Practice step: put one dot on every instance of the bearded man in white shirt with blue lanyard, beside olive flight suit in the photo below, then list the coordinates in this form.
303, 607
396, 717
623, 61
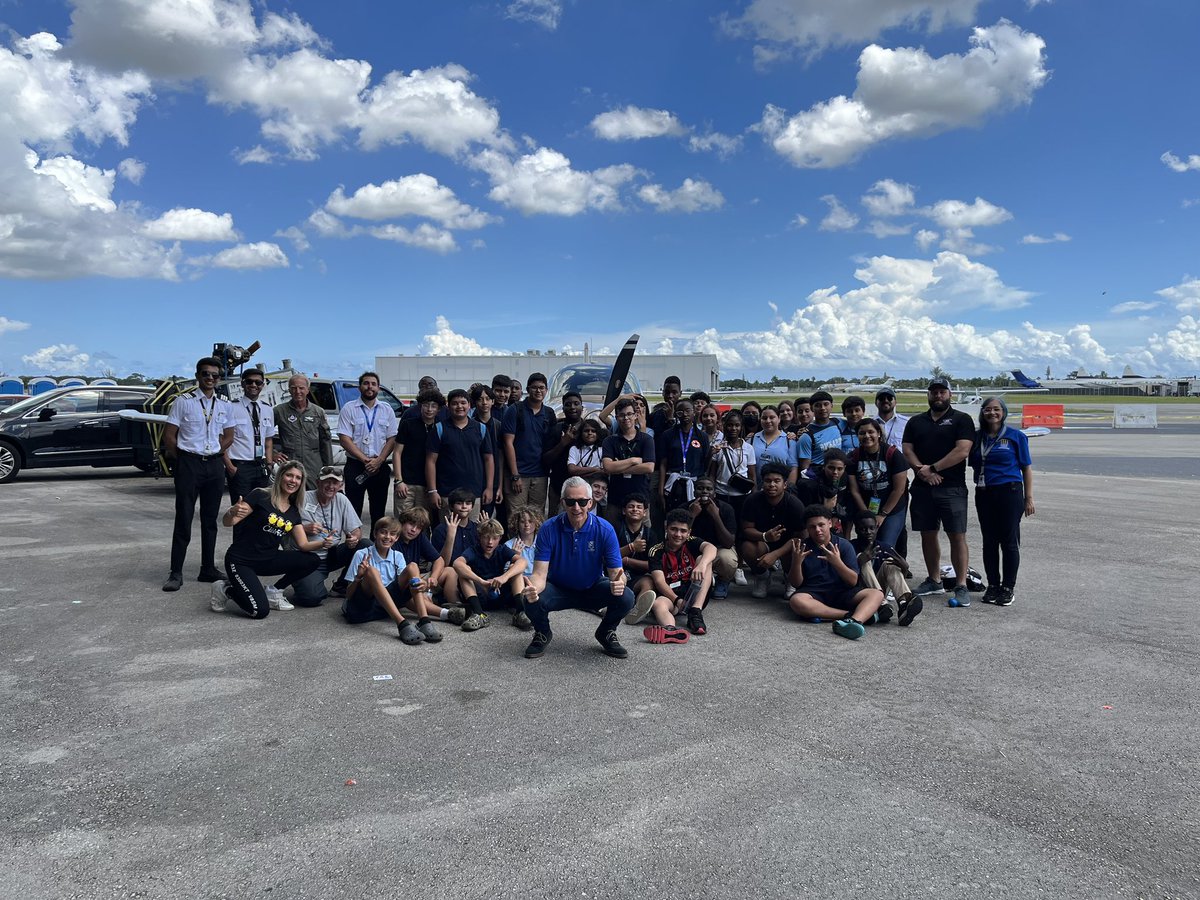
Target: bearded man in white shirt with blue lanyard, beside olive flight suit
368, 431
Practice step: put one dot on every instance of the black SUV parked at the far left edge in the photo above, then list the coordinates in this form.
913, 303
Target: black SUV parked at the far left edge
69, 427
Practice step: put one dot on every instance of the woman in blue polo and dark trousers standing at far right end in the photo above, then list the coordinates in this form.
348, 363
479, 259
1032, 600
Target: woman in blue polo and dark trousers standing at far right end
1004, 479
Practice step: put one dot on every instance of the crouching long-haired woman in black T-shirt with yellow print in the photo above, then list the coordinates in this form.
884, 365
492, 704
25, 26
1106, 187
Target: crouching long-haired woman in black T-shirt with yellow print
261, 524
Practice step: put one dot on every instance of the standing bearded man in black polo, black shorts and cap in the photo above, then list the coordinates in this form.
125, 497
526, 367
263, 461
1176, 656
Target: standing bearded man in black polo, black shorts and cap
937, 446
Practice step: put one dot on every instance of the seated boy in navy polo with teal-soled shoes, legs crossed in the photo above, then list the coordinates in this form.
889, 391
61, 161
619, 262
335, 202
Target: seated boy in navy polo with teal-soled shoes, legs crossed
825, 574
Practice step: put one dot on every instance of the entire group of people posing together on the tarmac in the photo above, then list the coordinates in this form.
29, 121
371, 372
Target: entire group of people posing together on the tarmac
633, 512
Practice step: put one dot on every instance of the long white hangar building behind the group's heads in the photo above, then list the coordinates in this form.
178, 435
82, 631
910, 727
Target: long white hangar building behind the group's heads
697, 371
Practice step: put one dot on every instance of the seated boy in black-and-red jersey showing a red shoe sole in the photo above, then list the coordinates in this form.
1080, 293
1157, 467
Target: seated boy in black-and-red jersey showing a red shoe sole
682, 574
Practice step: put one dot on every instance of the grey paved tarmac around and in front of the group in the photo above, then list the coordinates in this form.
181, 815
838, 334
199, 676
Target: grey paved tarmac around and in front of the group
154, 749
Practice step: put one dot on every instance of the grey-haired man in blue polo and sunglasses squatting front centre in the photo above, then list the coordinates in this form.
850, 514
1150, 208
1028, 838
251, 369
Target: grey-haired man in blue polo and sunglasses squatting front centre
578, 566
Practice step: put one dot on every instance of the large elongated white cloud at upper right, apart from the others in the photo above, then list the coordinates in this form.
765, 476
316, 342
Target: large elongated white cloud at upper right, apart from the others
907, 94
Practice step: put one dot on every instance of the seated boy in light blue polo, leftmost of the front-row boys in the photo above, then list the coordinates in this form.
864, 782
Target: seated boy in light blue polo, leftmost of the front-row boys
383, 583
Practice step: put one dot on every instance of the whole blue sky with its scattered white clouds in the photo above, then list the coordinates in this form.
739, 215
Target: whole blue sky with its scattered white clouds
806, 188
